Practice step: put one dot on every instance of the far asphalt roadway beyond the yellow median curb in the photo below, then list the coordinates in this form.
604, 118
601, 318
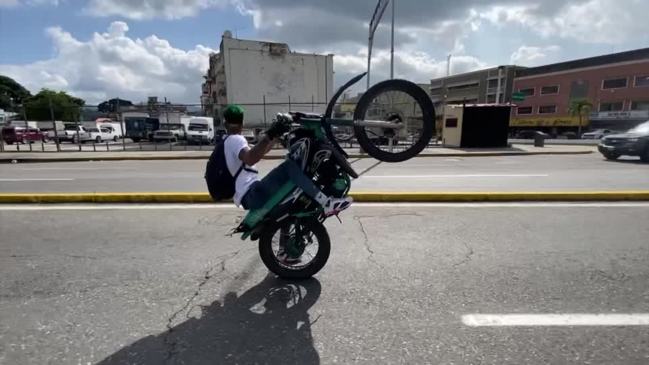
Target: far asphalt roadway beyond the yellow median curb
456, 174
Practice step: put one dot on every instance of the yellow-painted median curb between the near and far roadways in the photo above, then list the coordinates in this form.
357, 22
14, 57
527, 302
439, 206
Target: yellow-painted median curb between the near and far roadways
367, 197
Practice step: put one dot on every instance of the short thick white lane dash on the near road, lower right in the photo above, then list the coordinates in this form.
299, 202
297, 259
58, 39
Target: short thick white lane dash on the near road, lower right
573, 319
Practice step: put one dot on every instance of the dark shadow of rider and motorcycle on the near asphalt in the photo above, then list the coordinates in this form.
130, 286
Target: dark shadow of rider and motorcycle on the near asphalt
268, 324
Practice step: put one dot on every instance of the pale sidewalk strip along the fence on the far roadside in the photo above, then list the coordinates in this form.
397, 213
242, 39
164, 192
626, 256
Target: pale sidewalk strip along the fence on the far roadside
515, 150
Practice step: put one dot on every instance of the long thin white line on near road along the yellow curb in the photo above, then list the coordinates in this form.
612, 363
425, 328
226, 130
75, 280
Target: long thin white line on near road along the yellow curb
127, 206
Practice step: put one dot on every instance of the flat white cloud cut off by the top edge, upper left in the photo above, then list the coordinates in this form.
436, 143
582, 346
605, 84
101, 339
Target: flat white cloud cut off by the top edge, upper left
149, 9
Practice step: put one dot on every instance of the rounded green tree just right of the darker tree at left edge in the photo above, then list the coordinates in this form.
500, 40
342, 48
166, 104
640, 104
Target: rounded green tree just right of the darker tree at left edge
64, 106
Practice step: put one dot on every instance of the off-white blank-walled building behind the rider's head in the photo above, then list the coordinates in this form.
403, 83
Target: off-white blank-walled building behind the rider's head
265, 78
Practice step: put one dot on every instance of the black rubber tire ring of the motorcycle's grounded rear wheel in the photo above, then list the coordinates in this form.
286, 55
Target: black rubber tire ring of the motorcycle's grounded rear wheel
270, 260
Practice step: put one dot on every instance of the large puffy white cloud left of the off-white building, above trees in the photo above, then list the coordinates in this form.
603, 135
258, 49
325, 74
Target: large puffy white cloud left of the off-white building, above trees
112, 64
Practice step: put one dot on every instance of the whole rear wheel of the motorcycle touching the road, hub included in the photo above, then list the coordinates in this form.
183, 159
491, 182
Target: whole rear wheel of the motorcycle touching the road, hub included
295, 248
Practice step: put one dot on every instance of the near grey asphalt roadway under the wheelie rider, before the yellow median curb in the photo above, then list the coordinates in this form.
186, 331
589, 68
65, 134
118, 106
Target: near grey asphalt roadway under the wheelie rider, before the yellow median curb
117, 285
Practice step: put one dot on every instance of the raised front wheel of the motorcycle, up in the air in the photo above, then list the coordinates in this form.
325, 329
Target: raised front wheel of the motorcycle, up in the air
403, 103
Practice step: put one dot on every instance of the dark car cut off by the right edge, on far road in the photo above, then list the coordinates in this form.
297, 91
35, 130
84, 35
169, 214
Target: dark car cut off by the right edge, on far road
635, 142
